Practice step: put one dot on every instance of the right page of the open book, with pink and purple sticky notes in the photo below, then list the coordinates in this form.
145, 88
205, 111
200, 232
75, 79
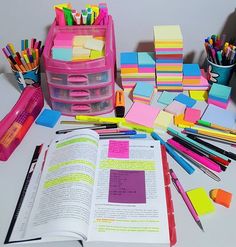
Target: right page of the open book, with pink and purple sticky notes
129, 203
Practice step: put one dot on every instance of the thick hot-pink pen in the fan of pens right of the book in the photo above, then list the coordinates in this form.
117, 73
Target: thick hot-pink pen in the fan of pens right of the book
202, 159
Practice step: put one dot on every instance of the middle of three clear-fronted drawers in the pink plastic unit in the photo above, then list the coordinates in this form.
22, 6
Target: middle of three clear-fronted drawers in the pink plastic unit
73, 93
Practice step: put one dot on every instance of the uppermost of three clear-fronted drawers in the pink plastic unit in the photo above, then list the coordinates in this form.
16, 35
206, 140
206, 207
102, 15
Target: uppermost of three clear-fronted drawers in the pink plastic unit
79, 79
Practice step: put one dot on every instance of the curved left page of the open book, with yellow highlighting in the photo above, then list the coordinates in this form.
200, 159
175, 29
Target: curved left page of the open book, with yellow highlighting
63, 202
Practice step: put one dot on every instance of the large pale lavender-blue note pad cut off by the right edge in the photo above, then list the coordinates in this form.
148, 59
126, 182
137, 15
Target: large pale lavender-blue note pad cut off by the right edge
216, 115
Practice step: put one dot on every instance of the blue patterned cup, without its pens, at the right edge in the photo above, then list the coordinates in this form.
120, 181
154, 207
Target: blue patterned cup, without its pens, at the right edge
219, 73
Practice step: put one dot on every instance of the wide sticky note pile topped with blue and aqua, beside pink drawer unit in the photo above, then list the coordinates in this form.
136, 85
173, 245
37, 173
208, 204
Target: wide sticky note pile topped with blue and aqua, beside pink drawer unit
137, 67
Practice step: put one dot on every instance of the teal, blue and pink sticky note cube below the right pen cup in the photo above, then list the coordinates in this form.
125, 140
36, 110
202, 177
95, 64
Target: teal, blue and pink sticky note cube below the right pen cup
219, 95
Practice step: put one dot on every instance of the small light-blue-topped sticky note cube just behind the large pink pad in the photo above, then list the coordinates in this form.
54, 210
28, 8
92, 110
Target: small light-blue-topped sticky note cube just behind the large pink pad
143, 92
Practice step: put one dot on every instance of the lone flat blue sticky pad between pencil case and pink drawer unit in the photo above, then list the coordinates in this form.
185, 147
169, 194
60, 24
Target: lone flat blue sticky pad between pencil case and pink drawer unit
48, 118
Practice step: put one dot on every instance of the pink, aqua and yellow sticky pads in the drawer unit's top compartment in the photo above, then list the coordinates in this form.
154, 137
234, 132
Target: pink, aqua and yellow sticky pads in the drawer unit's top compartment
70, 47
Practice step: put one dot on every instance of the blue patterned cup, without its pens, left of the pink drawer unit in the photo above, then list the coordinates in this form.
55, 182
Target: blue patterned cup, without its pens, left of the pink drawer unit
29, 77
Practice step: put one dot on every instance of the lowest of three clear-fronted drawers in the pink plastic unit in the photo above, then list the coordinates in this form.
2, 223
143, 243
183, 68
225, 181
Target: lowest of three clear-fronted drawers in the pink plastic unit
95, 107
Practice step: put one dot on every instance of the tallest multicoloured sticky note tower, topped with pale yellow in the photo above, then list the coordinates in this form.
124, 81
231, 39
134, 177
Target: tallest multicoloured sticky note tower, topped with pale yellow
168, 43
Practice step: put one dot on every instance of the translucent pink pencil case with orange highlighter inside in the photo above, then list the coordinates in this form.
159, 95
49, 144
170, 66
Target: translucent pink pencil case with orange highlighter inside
17, 122
